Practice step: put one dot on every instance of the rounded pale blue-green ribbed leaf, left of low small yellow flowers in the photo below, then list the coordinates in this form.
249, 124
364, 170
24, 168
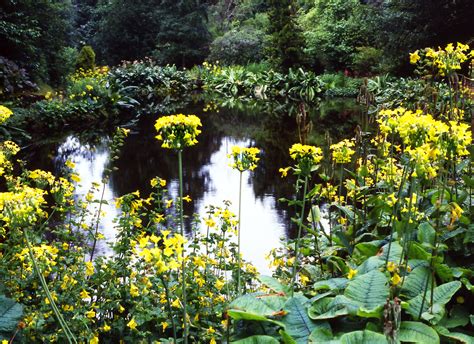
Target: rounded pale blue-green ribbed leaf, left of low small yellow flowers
369, 290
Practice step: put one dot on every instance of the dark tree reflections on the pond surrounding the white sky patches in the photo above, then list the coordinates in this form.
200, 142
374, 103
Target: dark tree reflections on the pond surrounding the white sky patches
270, 126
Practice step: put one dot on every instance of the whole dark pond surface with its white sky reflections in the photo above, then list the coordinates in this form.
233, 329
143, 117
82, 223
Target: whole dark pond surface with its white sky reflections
208, 179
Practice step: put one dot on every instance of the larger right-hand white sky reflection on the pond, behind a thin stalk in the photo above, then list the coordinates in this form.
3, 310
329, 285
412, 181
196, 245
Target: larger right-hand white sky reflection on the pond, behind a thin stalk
260, 225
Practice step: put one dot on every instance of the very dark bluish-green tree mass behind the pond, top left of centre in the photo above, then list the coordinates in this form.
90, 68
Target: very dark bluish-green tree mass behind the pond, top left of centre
173, 31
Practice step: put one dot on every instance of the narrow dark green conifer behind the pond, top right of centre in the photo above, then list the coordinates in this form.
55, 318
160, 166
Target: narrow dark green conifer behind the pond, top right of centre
286, 44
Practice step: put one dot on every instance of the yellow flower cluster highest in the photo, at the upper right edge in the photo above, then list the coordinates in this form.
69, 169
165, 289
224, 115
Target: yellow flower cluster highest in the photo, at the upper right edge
445, 60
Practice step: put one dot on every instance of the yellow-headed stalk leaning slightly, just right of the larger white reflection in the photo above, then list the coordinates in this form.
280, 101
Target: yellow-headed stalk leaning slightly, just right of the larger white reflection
306, 159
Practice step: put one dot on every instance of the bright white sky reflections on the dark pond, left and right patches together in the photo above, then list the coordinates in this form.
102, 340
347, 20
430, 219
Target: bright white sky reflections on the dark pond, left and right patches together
260, 225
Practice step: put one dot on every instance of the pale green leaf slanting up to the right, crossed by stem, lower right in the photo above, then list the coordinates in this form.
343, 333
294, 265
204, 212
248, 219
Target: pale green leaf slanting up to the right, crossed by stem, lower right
441, 296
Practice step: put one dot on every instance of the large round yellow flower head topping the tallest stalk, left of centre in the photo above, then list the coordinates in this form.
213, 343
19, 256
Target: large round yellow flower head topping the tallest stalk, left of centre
178, 131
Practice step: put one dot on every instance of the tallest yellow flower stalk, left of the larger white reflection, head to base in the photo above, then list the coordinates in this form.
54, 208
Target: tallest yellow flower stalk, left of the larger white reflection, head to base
177, 132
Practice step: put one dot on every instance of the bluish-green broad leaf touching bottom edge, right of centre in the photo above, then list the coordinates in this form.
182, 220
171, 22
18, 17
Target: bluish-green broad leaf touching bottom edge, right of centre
297, 322
